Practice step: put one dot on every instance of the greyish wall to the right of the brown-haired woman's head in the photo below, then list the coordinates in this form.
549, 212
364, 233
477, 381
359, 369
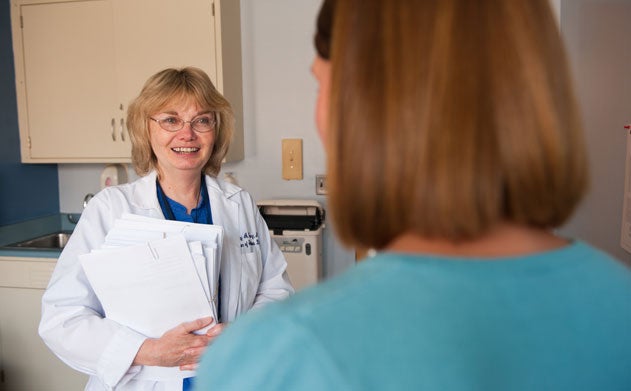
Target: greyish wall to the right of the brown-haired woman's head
598, 39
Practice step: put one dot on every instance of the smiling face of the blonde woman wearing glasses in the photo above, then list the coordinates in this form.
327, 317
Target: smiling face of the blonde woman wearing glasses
185, 151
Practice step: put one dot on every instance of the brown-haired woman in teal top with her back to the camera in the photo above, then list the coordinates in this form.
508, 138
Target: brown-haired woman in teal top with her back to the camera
454, 149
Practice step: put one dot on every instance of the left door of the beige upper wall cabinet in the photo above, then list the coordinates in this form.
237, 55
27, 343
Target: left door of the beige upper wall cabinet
66, 82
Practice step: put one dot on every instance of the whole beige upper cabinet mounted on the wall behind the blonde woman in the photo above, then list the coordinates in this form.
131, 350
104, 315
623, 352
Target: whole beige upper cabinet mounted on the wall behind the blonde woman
79, 63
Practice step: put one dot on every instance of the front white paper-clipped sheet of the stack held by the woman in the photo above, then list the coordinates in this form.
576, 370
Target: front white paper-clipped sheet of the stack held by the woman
150, 287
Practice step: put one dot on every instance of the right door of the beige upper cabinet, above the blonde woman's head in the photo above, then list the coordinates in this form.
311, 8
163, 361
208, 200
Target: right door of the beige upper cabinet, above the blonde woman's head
152, 35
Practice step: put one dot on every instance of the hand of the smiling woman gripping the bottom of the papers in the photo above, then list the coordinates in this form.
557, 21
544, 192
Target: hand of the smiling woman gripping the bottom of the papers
178, 346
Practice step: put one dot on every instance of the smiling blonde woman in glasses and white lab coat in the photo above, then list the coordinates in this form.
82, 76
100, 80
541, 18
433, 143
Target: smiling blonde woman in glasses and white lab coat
180, 128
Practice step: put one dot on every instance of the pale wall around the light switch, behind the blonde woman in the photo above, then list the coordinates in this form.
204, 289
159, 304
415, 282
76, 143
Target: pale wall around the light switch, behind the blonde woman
279, 98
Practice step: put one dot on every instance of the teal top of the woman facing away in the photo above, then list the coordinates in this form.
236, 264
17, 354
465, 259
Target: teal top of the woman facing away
559, 320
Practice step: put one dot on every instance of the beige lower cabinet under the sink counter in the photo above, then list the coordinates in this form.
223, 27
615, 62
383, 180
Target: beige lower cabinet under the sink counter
26, 363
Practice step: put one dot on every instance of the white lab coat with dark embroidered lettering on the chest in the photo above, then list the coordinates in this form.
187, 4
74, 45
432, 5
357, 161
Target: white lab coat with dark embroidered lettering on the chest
72, 323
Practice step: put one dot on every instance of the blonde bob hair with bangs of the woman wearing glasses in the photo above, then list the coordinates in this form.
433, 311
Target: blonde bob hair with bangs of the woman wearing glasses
185, 84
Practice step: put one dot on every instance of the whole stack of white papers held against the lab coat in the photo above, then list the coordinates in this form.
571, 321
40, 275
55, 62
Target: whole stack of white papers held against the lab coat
153, 274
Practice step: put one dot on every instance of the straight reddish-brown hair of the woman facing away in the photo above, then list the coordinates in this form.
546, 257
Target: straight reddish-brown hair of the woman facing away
448, 117
